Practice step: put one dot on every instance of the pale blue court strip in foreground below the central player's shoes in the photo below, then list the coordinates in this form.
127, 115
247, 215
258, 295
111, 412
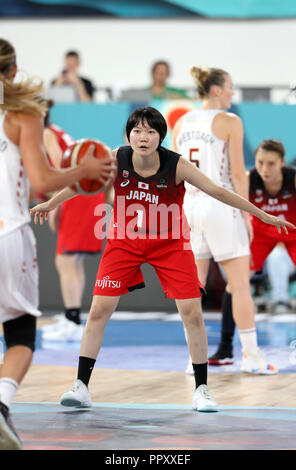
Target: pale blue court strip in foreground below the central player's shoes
108, 426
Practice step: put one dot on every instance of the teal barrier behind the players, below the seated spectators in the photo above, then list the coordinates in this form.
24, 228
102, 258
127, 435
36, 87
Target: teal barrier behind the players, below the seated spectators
106, 122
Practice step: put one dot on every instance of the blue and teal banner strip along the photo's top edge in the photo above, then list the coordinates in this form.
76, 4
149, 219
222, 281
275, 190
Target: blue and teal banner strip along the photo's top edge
151, 8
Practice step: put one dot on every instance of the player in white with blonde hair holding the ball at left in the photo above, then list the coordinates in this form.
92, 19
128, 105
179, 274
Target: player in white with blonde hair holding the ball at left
23, 162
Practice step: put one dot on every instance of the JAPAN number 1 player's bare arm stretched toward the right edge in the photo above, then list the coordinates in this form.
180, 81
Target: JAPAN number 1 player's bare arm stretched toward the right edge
186, 171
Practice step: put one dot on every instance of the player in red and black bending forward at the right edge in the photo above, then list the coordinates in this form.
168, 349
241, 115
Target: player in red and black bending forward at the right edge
272, 188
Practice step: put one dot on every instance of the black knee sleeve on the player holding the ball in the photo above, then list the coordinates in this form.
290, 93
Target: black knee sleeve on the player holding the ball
20, 331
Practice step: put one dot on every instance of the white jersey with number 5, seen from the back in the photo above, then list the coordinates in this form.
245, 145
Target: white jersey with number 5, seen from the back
197, 142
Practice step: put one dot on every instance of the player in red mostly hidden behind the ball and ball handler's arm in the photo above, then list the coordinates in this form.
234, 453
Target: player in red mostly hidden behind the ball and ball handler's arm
72, 245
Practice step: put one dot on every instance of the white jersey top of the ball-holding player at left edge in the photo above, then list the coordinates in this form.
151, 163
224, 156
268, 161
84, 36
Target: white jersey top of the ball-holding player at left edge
14, 186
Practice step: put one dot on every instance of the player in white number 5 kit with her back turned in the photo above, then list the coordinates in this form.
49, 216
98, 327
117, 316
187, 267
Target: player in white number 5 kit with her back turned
213, 139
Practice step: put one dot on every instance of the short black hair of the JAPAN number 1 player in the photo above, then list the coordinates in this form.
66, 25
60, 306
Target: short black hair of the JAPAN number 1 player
153, 117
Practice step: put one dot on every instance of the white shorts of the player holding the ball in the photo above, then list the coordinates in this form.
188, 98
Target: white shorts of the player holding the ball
19, 292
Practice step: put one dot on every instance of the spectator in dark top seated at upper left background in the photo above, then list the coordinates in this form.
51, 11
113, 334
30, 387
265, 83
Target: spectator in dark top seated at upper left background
83, 87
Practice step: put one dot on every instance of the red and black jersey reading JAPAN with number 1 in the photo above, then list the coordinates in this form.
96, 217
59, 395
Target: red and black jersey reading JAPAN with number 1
150, 207
